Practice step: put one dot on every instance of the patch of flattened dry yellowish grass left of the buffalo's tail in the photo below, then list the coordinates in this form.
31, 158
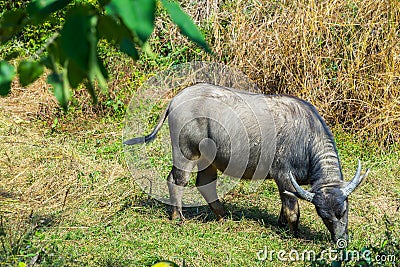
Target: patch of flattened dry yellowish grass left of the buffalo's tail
51, 173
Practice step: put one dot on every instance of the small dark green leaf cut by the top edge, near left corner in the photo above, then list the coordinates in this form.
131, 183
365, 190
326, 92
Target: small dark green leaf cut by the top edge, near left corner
40, 9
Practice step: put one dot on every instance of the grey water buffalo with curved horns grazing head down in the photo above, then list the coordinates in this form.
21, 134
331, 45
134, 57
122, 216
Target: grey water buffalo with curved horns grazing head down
256, 136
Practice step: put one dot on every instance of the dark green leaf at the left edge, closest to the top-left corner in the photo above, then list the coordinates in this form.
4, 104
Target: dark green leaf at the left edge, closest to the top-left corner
11, 23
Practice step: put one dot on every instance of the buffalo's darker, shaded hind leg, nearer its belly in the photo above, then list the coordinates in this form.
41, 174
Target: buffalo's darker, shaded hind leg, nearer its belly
206, 183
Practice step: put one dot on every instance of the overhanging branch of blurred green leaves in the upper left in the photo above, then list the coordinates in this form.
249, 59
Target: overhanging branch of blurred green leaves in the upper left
71, 54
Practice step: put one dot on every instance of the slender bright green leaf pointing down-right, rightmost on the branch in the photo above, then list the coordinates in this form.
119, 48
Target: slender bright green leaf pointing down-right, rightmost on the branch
185, 24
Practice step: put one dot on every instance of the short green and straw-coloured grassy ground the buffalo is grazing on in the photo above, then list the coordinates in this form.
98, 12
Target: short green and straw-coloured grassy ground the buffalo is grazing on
67, 198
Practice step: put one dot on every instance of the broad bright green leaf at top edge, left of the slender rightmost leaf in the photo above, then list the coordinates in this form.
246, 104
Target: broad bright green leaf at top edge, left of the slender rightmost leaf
137, 15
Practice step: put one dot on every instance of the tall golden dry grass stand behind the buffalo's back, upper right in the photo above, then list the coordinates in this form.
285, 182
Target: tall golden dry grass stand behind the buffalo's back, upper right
343, 55
